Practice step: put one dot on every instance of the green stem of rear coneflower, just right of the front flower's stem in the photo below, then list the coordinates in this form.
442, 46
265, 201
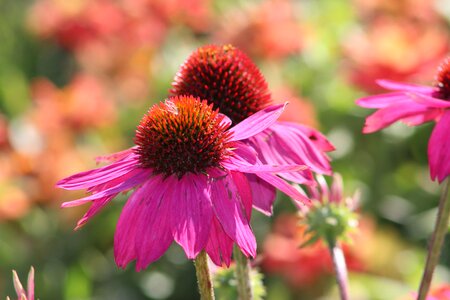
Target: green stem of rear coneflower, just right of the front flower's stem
244, 284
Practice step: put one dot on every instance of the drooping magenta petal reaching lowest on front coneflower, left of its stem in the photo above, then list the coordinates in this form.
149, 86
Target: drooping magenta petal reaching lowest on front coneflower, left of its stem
154, 232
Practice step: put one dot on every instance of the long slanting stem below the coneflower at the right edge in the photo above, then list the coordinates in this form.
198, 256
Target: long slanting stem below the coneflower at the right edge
437, 239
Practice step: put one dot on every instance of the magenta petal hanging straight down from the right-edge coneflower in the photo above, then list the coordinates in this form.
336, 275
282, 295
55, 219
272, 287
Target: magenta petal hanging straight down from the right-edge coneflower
439, 149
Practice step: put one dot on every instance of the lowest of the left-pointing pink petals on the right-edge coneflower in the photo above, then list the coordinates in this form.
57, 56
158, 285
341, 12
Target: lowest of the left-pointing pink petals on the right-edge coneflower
386, 116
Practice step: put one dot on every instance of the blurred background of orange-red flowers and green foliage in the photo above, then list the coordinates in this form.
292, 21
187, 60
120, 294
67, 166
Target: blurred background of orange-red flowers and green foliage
76, 77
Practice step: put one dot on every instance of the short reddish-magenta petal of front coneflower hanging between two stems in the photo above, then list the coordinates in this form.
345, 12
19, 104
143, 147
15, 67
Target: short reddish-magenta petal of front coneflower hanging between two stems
220, 245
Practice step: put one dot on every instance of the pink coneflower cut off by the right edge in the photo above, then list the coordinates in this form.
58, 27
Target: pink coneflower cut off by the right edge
415, 105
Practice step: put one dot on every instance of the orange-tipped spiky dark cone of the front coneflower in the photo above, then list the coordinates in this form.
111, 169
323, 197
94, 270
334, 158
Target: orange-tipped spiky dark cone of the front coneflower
181, 135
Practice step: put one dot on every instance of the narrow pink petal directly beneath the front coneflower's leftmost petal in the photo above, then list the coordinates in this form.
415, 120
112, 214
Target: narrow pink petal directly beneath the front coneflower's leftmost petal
139, 176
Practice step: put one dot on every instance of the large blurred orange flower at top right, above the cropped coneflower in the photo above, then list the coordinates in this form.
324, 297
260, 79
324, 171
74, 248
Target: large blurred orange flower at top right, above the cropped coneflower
383, 50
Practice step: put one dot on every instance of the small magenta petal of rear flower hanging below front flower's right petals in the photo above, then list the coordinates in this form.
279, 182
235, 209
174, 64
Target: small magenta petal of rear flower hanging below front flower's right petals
264, 194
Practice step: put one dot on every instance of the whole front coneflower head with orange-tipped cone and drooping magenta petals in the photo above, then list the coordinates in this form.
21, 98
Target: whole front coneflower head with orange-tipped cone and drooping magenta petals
187, 169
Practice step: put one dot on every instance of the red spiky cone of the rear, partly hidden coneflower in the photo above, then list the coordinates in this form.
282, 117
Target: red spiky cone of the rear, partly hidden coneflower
225, 77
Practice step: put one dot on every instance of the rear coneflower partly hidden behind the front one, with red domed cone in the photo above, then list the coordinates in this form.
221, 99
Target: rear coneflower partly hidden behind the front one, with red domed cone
232, 83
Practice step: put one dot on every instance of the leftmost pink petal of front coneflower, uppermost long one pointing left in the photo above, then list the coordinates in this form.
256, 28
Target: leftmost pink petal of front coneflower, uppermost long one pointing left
98, 176
